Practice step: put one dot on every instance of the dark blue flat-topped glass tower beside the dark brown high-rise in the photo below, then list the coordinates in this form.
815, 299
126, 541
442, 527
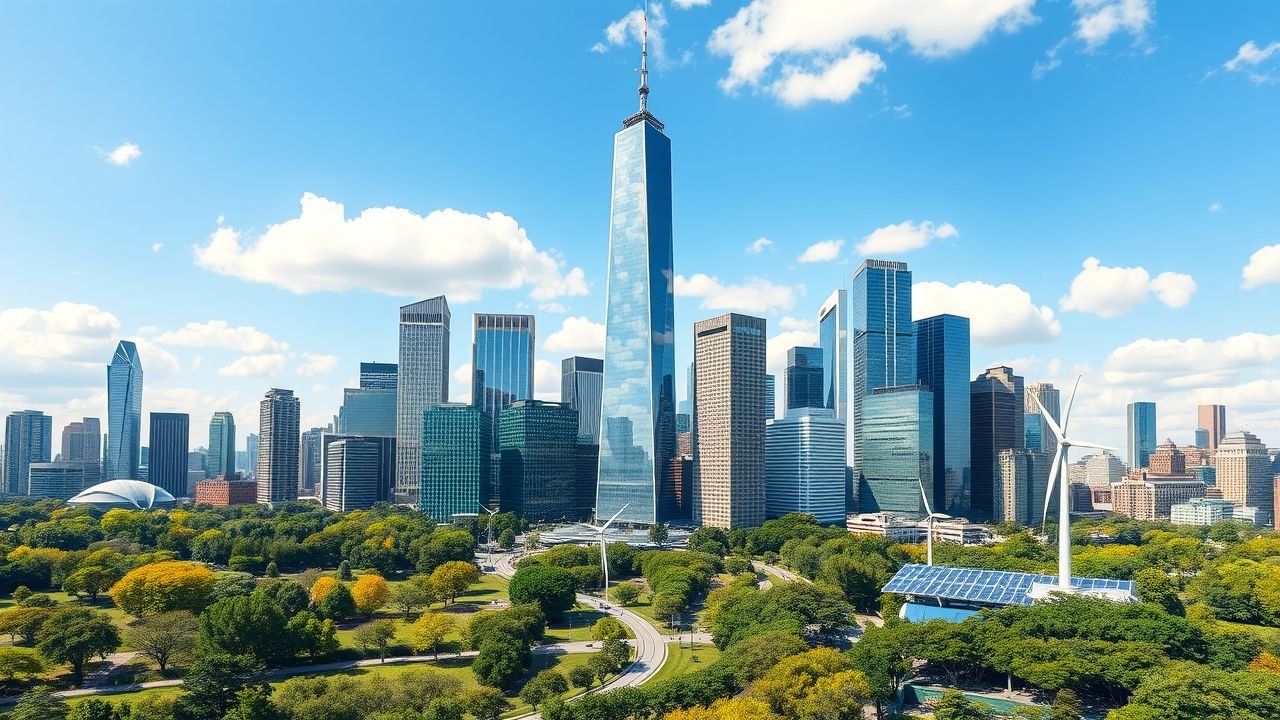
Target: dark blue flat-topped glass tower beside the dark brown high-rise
943, 368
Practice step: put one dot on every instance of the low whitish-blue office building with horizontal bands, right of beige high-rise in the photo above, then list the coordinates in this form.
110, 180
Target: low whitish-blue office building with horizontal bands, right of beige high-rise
804, 466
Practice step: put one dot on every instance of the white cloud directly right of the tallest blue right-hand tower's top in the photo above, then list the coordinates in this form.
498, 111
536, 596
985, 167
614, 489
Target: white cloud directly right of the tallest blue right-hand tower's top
998, 315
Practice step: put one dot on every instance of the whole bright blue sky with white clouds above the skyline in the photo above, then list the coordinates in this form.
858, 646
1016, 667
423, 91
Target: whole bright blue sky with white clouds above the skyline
156, 156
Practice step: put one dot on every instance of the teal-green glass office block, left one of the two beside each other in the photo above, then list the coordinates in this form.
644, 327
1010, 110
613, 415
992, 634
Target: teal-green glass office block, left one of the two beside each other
456, 464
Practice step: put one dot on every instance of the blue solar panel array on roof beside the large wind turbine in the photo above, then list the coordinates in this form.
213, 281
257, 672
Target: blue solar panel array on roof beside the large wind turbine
984, 587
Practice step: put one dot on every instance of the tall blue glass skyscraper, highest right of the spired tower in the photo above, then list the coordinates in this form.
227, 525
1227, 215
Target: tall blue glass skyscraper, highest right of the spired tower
884, 338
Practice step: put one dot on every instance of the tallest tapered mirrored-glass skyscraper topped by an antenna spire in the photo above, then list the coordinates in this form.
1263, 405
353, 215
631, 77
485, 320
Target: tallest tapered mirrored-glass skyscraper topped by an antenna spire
638, 438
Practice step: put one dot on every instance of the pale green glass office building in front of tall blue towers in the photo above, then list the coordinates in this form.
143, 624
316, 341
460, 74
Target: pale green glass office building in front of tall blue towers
898, 450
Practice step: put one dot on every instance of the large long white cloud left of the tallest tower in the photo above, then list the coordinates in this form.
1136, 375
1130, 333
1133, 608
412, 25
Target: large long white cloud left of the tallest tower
392, 252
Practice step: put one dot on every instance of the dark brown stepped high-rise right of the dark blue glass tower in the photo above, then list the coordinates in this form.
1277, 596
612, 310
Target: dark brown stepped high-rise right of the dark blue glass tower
996, 403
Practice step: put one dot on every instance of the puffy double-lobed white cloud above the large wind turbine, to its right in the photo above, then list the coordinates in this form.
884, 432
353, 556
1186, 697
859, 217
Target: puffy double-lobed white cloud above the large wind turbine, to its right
1109, 293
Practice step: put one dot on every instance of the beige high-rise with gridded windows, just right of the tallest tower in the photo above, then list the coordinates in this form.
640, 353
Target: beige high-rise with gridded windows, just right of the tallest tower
729, 432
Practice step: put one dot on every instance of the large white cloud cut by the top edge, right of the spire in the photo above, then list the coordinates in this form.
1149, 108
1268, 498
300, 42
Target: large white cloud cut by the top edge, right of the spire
802, 52
